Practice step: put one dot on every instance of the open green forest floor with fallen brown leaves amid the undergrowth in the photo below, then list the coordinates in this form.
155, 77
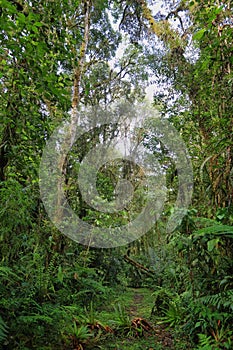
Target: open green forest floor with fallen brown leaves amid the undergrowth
135, 306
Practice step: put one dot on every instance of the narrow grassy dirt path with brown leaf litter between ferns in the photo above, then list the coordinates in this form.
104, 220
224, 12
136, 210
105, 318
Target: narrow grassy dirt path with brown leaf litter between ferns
138, 303
